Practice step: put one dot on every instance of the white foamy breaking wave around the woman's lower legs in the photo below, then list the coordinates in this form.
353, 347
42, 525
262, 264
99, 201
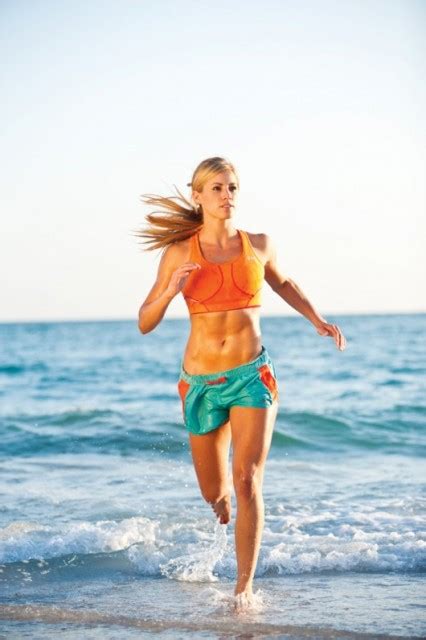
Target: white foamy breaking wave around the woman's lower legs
194, 550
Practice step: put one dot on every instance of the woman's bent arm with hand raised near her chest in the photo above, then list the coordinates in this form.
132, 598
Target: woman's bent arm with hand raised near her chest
171, 278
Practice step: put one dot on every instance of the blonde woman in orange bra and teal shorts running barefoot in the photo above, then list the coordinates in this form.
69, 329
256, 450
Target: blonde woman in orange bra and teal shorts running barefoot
227, 381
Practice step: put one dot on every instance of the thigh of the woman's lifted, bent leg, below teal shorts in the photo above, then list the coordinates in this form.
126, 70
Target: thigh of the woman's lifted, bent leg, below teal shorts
210, 453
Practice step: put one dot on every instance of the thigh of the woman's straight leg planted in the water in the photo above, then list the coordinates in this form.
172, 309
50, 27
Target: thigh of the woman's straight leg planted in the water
252, 429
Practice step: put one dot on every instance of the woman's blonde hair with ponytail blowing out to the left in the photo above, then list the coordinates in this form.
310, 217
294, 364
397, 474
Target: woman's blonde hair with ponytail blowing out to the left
178, 218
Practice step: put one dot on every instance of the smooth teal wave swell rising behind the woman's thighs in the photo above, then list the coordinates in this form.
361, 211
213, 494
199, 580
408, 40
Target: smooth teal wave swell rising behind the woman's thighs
113, 430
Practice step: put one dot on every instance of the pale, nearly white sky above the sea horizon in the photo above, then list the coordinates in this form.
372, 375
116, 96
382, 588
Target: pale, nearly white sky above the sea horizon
320, 105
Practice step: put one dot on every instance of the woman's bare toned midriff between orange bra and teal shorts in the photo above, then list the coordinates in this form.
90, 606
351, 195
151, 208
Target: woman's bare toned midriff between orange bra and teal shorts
222, 340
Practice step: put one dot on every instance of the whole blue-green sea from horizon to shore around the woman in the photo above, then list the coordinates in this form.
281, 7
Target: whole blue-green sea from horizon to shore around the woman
103, 531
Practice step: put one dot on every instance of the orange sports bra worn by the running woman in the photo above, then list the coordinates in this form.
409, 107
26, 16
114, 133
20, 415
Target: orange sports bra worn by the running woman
235, 284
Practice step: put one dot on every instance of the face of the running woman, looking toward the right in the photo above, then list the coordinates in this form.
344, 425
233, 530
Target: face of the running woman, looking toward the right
219, 195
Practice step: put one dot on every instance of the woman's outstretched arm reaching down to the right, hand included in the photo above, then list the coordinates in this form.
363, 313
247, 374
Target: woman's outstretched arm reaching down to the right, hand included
288, 290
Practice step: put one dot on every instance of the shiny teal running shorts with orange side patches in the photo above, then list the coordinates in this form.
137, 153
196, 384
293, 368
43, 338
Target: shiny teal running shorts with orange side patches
207, 398
